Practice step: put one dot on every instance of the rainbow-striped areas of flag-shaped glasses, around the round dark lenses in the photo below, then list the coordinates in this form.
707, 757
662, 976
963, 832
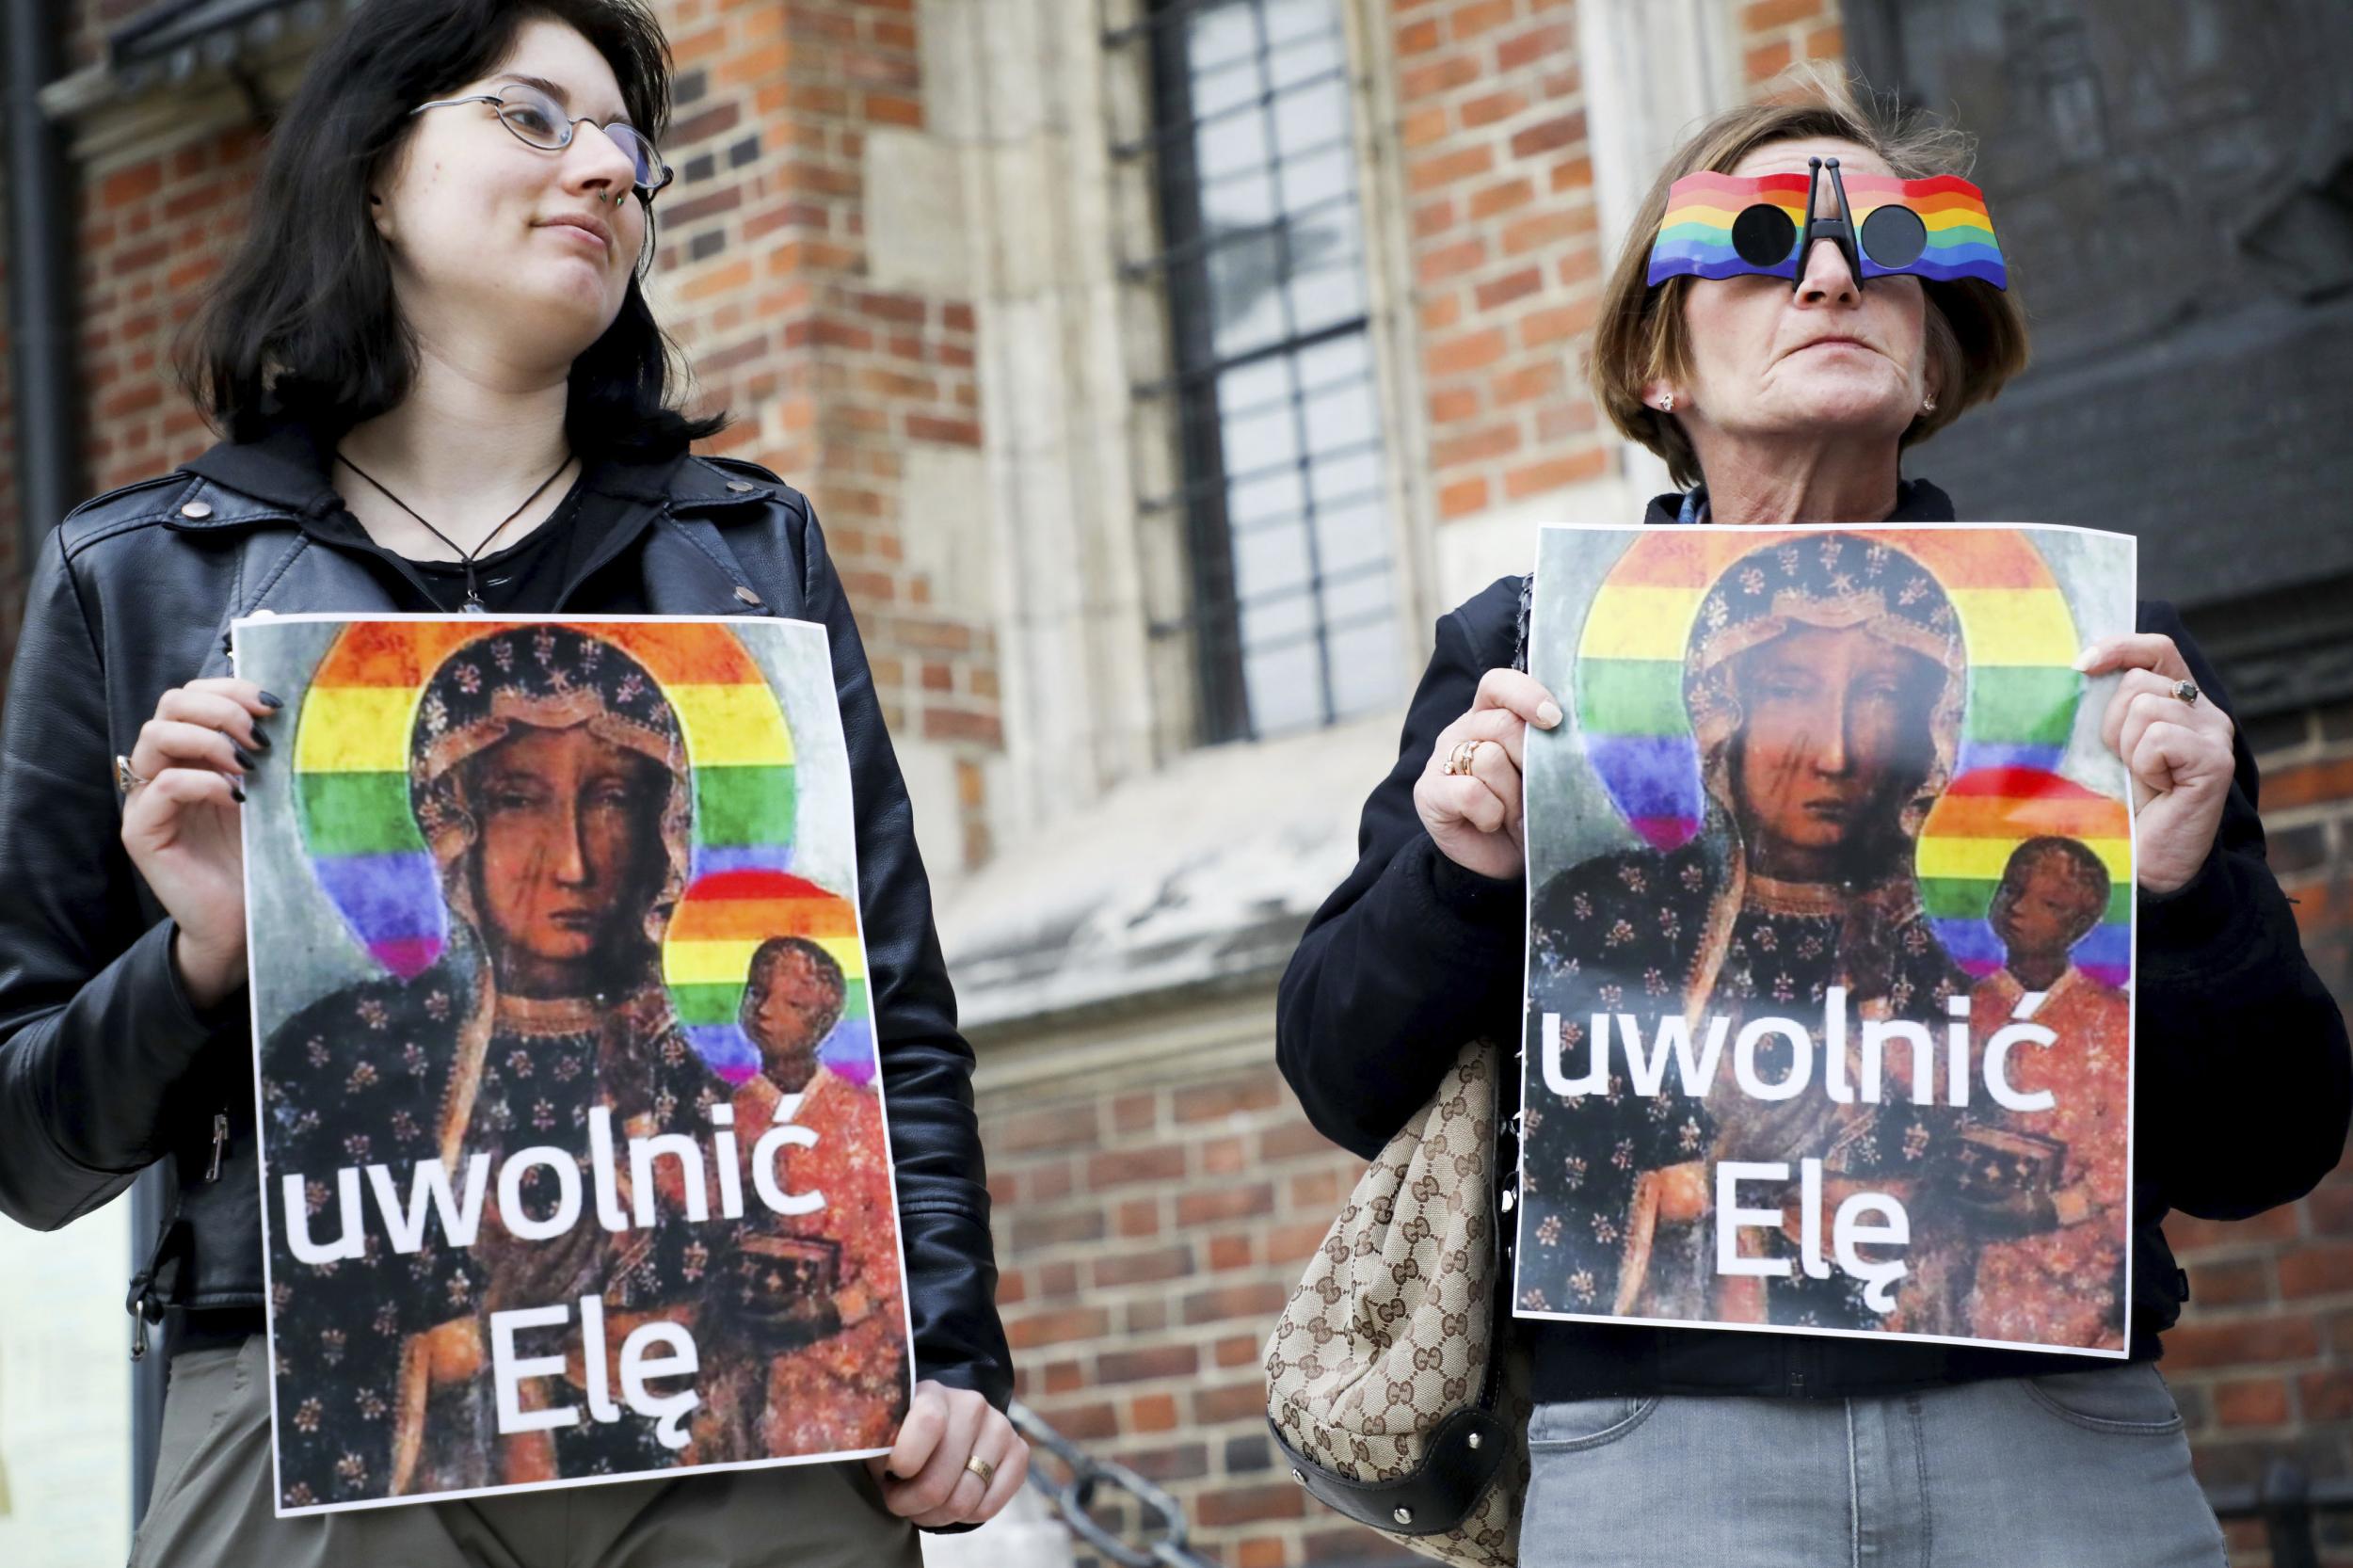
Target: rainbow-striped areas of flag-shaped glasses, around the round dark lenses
1700, 213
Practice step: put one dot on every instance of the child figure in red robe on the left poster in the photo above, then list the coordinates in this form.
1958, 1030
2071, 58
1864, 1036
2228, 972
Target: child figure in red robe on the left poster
848, 1386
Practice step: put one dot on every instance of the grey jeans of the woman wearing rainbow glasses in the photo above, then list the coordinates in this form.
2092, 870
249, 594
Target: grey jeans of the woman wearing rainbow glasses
2079, 1470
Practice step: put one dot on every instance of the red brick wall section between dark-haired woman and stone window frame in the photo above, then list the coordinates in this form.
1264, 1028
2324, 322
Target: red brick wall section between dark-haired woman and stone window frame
834, 380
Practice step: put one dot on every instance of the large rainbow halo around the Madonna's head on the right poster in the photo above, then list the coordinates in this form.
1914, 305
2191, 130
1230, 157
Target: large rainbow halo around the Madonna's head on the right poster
1629, 663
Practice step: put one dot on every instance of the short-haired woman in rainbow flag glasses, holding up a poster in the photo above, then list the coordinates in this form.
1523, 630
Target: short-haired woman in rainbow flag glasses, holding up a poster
1789, 399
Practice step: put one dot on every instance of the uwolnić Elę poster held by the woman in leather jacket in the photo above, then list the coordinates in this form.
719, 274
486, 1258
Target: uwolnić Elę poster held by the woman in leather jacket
573, 1145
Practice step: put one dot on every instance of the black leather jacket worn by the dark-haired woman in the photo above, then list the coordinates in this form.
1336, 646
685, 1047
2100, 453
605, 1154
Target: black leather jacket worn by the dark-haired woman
107, 1068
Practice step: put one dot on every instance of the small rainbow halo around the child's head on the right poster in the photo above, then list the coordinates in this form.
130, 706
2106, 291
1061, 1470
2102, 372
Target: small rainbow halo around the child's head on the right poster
1968, 842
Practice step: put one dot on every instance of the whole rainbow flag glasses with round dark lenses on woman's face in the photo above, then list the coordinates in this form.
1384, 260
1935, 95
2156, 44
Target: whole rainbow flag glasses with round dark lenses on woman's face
1726, 225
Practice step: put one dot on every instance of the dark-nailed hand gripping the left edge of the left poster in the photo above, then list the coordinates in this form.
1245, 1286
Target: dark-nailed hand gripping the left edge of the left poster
182, 828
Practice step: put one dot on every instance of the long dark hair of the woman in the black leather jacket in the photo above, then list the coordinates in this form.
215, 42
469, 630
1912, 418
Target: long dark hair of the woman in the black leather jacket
305, 324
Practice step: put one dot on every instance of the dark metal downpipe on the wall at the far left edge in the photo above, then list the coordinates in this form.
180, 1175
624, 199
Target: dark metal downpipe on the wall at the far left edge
39, 279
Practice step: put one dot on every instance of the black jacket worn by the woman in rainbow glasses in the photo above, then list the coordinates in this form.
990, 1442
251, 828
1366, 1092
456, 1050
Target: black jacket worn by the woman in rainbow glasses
2244, 1075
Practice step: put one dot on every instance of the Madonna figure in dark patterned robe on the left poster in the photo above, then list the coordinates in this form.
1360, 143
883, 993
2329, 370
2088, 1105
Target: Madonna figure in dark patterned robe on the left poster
549, 780
